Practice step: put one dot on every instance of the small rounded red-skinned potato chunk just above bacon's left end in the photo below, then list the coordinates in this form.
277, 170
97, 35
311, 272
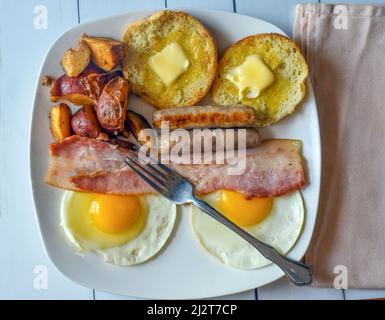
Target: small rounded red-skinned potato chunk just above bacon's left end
84, 122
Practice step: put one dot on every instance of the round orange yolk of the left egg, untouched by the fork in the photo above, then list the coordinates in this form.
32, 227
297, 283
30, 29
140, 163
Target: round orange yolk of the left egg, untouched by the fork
114, 214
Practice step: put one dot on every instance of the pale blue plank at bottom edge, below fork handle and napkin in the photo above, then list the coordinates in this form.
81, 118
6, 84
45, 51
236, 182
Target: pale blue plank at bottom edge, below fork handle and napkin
283, 290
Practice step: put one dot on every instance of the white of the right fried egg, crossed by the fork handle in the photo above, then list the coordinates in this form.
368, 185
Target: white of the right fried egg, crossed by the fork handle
280, 229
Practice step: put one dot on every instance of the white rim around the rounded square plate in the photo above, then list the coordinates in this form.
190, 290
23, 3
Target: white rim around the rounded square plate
34, 189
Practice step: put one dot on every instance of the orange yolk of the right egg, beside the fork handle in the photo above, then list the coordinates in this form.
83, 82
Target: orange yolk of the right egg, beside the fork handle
243, 212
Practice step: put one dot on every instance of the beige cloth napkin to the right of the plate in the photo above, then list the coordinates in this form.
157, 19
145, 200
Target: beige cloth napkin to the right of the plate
347, 67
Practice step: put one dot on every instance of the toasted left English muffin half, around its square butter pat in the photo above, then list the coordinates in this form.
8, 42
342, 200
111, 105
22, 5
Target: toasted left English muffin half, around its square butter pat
145, 38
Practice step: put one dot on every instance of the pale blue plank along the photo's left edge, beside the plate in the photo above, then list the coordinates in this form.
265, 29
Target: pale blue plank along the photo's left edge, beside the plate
22, 252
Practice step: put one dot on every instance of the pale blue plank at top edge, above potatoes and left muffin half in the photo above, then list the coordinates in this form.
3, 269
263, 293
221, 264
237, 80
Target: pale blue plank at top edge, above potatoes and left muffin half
94, 9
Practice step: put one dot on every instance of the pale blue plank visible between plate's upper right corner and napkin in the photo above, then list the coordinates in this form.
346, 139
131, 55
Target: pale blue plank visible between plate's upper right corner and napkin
280, 13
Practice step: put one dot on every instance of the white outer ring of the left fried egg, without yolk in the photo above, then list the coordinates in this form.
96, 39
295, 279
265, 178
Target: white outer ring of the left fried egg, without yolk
161, 216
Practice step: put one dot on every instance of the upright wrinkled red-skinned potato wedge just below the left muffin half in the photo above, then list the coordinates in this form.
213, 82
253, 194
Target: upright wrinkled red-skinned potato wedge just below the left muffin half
112, 104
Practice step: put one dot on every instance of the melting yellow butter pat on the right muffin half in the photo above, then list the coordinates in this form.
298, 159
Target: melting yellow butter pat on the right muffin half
251, 77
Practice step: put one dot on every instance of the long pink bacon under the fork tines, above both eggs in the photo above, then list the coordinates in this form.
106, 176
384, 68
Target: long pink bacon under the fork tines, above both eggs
83, 164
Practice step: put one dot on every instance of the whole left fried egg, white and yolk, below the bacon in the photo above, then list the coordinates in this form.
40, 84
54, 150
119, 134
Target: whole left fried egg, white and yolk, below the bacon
125, 230
